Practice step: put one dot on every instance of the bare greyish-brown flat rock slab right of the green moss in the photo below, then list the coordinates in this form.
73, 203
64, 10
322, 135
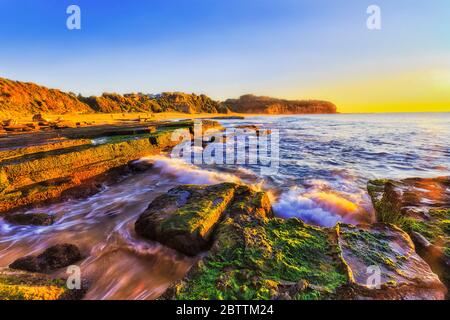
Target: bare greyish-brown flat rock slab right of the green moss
382, 263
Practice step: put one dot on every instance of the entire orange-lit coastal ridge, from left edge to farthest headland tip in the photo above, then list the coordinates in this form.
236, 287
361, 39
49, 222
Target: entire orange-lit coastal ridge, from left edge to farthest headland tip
20, 98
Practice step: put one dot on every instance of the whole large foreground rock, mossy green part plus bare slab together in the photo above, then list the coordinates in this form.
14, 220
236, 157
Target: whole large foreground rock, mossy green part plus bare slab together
257, 256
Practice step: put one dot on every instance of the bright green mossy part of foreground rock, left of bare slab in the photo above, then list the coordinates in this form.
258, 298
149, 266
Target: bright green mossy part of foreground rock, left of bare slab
264, 259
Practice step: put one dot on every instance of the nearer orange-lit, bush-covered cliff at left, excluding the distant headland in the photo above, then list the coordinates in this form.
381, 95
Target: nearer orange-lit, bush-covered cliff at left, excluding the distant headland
21, 99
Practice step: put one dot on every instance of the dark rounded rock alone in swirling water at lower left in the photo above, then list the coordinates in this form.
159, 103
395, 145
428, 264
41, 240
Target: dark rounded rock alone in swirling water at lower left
53, 258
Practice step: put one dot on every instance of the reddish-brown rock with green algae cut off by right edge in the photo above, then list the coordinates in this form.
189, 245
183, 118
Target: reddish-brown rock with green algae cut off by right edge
421, 207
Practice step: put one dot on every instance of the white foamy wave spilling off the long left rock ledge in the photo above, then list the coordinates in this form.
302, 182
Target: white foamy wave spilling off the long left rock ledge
186, 173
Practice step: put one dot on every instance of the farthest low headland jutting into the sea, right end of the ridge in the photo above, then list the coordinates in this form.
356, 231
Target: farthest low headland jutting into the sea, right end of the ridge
266, 105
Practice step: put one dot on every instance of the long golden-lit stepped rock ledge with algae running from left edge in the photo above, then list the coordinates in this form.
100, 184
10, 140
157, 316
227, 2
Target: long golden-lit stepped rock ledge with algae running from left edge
28, 178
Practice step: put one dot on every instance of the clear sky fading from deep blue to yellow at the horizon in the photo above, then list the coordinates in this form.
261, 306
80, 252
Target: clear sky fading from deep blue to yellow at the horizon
293, 49
